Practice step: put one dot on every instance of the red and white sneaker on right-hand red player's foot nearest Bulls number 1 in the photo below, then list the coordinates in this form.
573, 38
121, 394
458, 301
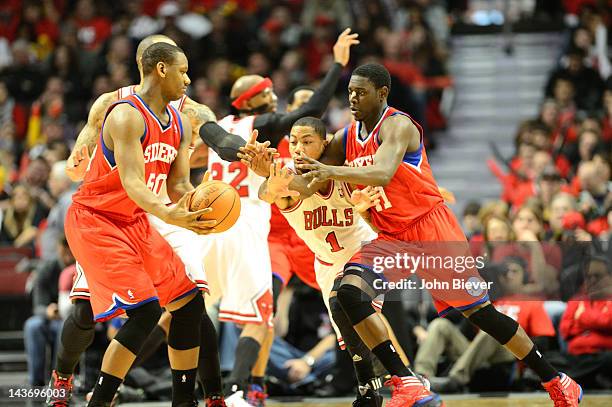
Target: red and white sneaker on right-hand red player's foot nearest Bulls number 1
409, 391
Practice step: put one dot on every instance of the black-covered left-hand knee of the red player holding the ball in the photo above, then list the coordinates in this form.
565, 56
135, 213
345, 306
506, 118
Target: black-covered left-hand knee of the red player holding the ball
139, 325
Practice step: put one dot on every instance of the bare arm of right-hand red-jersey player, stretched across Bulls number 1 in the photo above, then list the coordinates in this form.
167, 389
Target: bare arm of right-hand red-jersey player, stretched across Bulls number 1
400, 137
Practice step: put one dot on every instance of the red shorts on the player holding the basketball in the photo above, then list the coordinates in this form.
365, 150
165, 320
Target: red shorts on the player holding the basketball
126, 264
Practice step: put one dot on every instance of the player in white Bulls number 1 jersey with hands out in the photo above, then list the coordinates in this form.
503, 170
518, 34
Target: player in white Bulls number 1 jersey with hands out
330, 223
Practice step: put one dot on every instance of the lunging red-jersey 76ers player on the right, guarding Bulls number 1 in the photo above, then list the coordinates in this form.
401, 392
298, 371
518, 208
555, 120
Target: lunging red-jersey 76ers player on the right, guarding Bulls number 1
384, 148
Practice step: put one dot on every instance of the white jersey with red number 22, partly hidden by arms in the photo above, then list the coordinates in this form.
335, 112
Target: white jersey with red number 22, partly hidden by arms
238, 175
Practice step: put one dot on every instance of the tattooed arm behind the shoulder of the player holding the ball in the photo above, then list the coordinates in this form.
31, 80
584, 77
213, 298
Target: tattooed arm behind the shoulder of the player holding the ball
77, 162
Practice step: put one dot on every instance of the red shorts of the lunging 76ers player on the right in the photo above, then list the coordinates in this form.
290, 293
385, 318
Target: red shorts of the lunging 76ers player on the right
434, 248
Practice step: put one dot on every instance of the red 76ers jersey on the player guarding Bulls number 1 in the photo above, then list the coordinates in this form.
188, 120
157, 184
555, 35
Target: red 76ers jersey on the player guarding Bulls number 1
412, 192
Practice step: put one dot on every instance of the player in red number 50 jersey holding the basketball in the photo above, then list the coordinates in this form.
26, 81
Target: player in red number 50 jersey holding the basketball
129, 266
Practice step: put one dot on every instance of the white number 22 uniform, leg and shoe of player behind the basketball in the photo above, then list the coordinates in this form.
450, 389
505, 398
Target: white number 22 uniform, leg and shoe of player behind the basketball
241, 258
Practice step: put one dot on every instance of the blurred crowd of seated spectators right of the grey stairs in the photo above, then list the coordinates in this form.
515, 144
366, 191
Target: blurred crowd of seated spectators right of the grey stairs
554, 216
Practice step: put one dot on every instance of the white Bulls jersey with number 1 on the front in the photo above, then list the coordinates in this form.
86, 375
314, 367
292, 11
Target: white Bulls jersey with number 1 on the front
329, 225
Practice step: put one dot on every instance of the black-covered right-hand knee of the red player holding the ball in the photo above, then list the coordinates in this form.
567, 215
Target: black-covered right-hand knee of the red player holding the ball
183, 335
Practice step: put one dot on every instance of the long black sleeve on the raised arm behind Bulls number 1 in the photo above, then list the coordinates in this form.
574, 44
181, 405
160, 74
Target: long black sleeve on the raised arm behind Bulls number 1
274, 126
